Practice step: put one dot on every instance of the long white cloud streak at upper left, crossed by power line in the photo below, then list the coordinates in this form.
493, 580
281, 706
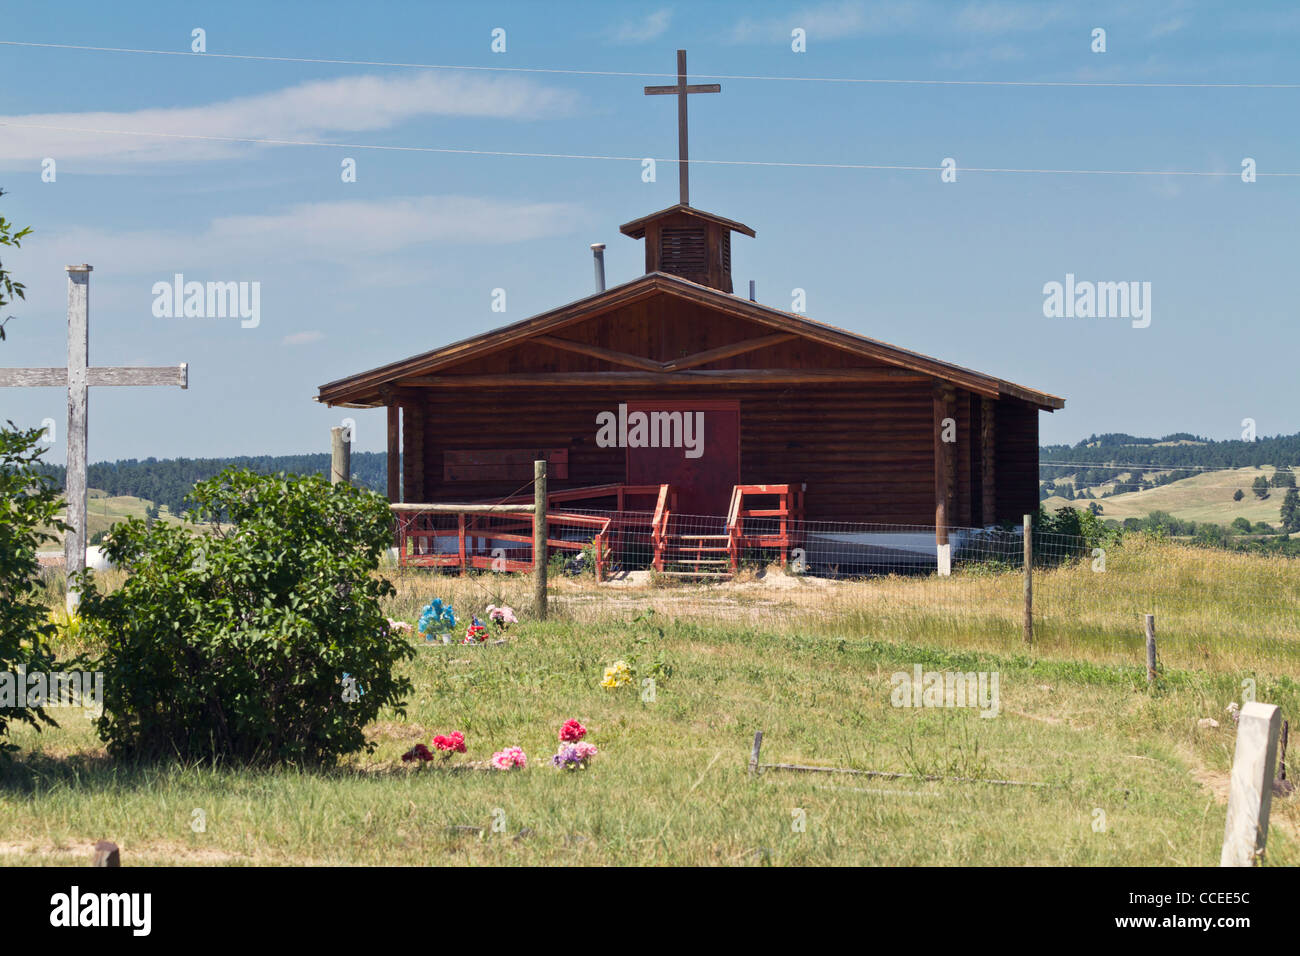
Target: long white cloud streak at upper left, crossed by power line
319, 110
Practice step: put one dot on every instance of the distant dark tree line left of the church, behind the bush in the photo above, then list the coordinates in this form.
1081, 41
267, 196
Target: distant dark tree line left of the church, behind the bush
168, 482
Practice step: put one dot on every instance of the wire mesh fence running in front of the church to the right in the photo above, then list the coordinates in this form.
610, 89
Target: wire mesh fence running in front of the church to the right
1087, 599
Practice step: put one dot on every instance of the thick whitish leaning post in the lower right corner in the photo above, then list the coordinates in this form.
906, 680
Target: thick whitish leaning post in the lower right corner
1251, 788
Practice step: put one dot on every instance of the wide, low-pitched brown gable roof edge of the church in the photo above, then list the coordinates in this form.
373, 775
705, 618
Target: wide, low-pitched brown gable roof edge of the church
363, 391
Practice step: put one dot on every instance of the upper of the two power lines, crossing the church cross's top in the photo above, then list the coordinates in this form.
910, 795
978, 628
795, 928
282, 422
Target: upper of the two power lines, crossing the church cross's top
339, 62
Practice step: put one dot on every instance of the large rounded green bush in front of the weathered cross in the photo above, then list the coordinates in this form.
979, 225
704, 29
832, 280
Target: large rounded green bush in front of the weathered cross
262, 641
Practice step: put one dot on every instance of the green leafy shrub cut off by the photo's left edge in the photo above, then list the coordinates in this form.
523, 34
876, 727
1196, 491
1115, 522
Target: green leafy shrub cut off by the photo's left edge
29, 505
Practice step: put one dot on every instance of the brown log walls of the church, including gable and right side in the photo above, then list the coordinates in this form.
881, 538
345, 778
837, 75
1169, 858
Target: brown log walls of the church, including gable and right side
866, 451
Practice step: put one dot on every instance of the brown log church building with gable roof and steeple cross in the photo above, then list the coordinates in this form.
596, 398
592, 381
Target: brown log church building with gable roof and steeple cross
673, 379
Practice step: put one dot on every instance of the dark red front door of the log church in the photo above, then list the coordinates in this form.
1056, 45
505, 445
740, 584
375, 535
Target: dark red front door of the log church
695, 447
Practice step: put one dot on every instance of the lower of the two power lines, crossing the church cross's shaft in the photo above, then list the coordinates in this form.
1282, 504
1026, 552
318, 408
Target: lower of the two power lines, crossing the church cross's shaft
470, 152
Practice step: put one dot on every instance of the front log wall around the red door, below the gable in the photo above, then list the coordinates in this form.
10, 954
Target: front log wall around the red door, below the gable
864, 452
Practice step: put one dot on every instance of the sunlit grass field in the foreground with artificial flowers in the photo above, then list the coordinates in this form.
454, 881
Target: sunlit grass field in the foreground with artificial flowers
809, 663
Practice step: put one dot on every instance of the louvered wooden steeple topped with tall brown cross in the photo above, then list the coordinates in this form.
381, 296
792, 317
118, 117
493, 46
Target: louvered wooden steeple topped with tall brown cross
681, 240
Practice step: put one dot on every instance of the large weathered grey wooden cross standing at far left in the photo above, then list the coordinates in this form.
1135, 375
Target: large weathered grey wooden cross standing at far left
79, 377
